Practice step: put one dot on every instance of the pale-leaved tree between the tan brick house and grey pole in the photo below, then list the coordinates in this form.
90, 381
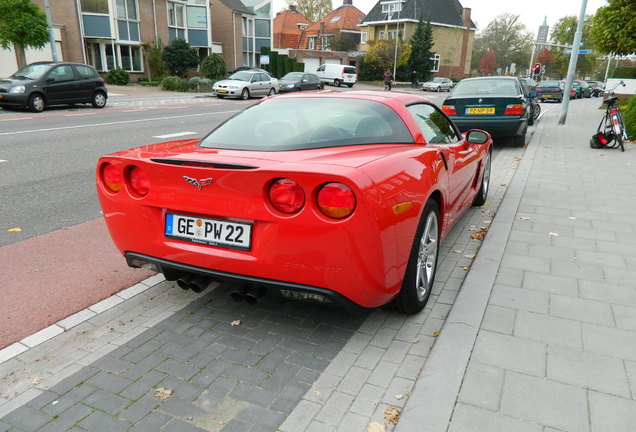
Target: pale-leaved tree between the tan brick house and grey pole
506, 36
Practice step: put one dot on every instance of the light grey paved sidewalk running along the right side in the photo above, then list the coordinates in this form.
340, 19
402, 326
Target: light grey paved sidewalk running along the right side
555, 349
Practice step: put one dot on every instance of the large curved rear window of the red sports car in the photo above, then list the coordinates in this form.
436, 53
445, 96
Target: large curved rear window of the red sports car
306, 123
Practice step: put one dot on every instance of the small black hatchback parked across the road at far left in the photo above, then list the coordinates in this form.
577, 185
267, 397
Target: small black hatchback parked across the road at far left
43, 84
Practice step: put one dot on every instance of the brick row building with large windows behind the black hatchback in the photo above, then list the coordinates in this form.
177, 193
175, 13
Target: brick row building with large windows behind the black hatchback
109, 34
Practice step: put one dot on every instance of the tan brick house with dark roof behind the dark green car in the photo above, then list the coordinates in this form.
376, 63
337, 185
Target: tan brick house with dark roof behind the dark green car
453, 30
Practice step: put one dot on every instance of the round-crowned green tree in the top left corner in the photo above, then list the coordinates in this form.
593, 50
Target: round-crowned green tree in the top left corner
22, 25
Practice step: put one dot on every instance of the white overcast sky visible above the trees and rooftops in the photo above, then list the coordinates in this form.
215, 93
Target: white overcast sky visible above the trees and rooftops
483, 11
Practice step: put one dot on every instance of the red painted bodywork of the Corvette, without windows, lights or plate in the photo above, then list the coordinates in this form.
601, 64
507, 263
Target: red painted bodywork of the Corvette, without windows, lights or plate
362, 257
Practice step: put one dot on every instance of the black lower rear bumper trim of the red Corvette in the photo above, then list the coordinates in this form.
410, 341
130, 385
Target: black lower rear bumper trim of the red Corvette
172, 270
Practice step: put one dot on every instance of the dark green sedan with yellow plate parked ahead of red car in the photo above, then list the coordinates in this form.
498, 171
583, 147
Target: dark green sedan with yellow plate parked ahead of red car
497, 105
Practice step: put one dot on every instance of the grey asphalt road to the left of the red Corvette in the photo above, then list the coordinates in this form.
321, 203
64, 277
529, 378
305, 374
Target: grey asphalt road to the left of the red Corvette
47, 176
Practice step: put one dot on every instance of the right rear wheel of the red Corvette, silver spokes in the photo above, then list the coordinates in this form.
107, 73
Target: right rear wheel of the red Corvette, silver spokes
421, 267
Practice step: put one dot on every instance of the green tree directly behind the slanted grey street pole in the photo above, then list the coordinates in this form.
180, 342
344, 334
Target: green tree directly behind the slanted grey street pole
563, 33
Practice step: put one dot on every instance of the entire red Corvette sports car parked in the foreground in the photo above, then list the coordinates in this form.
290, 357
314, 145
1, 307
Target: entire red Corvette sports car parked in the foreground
338, 198
